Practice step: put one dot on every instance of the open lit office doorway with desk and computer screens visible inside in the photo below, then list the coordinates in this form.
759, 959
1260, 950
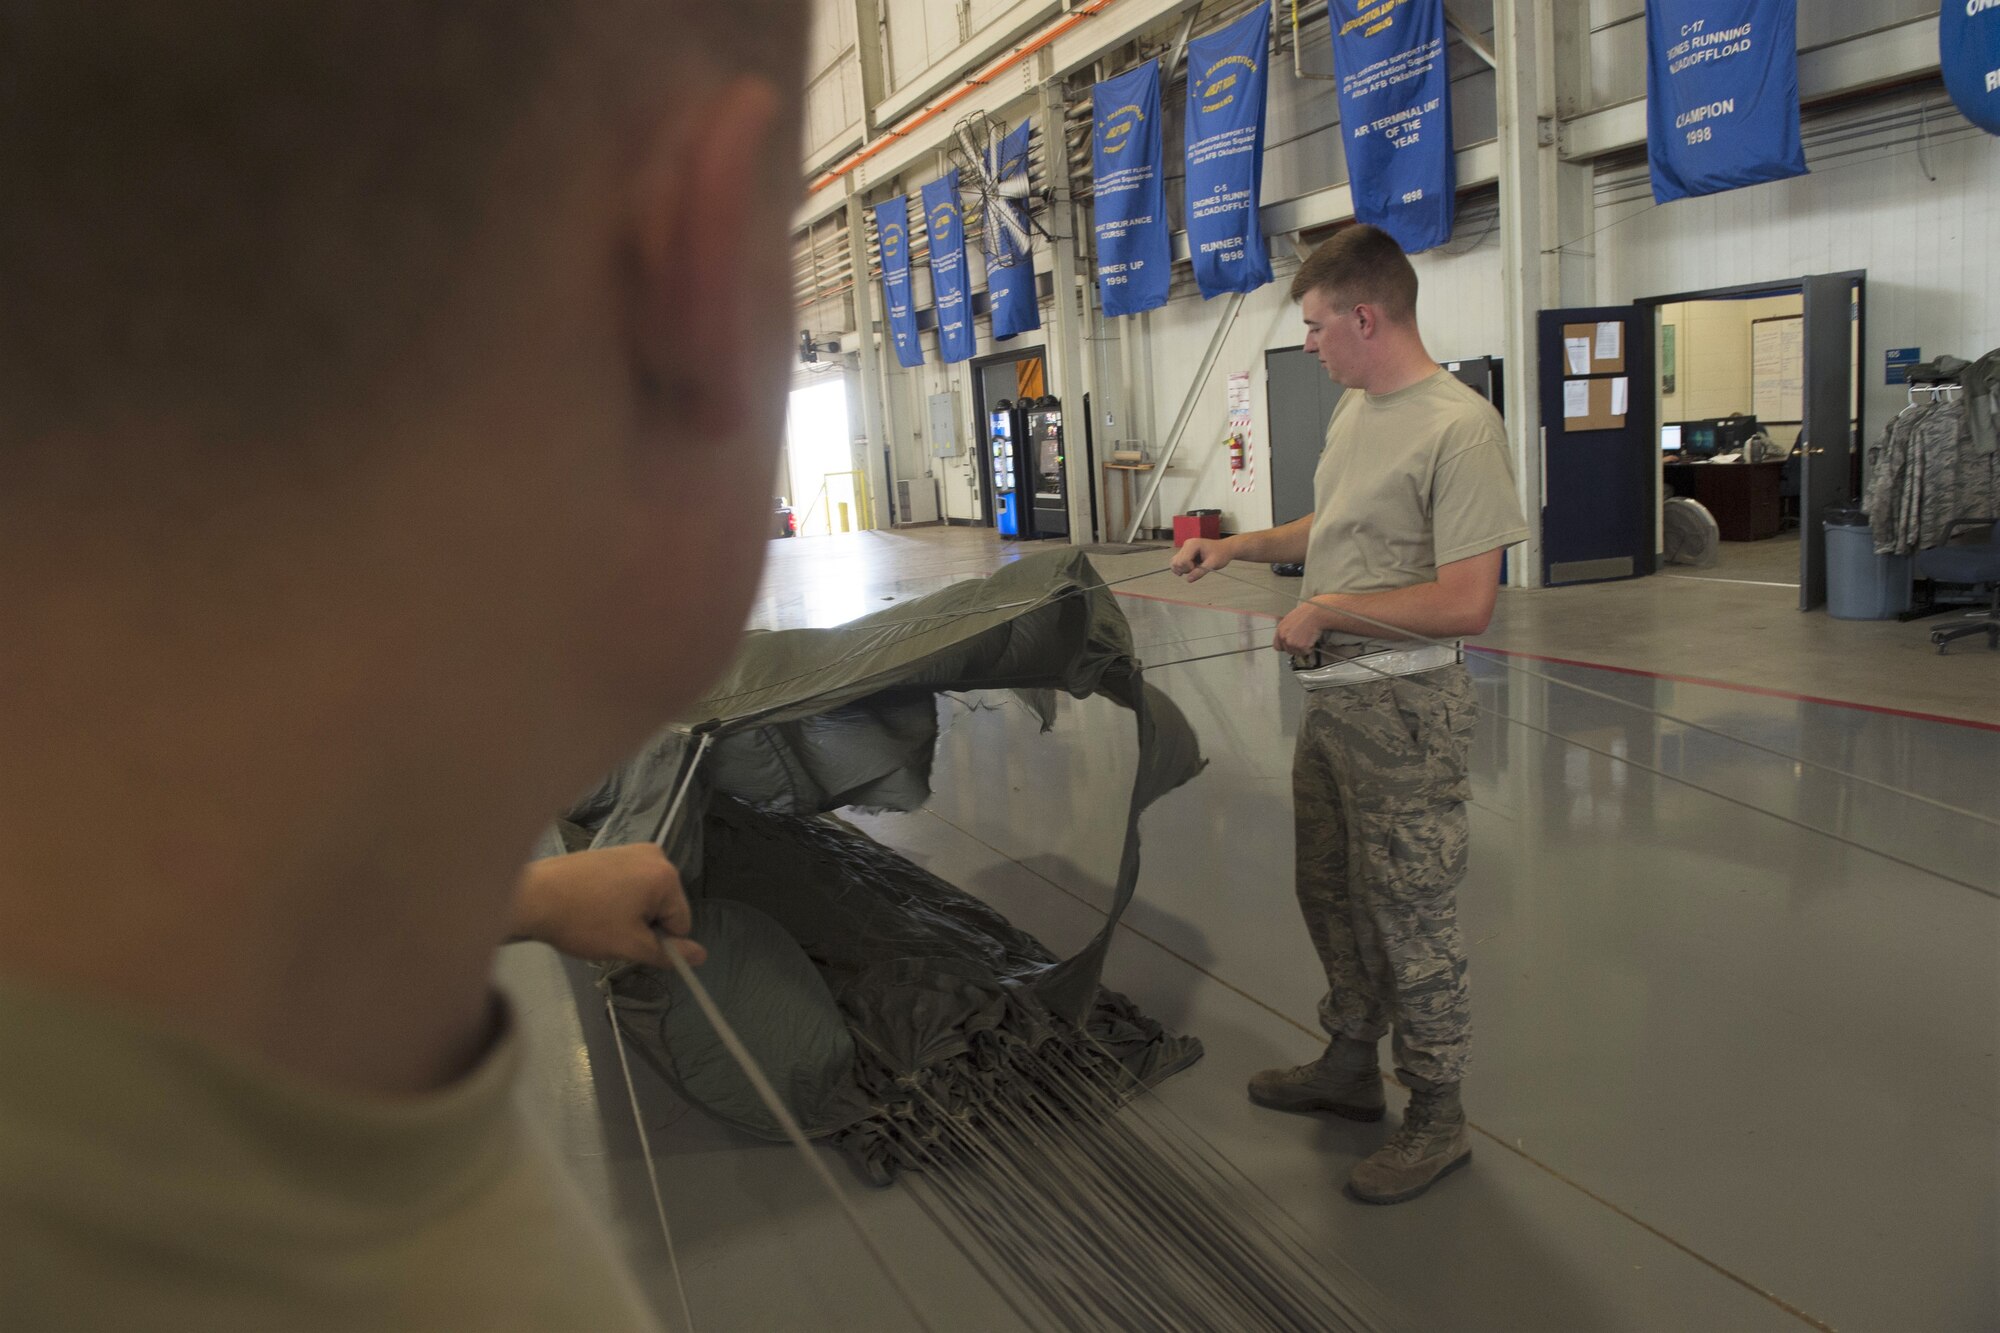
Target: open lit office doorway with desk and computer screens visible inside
1759, 413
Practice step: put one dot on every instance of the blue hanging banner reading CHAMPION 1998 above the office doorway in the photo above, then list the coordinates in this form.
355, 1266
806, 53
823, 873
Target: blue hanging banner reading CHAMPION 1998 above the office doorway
1721, 95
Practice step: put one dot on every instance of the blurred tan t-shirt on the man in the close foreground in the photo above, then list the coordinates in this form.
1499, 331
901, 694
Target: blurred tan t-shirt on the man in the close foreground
151, 1182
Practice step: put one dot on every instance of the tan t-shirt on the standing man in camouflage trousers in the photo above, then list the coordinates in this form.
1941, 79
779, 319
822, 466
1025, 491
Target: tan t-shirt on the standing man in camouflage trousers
1409, 481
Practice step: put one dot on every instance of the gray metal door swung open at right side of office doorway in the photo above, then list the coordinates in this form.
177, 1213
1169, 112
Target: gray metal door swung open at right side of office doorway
1827, 439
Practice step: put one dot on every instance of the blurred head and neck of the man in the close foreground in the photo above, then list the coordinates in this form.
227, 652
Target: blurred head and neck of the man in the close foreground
389, 407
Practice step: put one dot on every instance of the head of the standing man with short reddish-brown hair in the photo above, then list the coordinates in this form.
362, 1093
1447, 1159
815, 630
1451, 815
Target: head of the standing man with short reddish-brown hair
1357, 295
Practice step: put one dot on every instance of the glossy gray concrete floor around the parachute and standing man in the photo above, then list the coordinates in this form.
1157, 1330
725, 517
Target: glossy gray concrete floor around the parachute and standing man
1739, 1010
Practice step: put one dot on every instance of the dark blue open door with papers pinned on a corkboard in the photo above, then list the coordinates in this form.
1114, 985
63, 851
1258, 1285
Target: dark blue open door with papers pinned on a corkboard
1601, 443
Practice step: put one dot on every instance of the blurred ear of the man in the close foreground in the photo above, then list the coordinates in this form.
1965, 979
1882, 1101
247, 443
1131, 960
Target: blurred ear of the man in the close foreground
701, 255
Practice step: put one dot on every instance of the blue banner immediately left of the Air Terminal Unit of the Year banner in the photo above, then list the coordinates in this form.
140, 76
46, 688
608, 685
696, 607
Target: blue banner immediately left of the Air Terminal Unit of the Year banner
1227, 155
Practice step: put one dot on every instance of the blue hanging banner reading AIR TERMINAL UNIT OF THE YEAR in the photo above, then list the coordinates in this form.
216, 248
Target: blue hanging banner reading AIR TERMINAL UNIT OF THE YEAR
1397, 117
